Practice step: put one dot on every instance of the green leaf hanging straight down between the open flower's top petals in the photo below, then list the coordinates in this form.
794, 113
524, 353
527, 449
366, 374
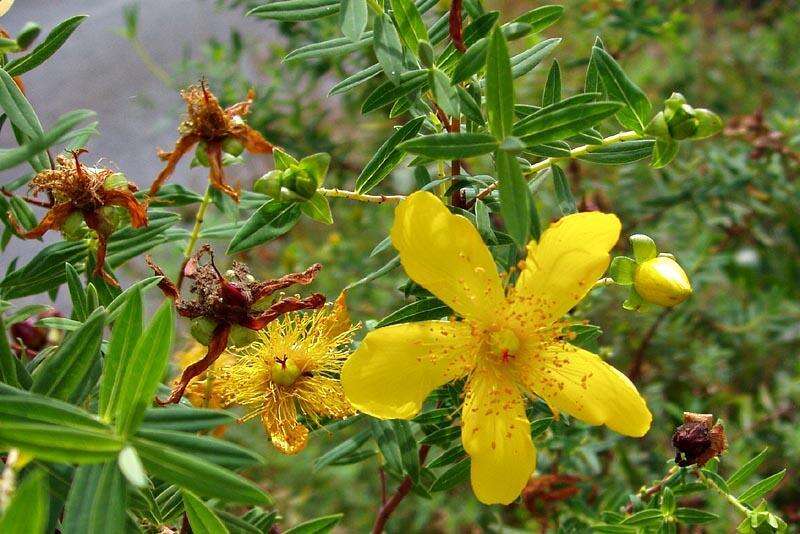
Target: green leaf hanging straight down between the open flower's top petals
514, 199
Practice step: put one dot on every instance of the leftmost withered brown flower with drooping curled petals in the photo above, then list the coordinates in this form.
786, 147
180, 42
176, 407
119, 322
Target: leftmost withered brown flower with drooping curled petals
77, 193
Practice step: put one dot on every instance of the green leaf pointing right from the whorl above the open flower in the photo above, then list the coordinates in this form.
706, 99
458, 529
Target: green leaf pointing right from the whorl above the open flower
562, 120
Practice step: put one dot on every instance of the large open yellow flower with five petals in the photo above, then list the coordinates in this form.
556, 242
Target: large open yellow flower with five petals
509, 346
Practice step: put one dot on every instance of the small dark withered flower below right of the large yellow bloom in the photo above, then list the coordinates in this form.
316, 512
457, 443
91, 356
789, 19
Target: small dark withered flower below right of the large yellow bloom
698, 439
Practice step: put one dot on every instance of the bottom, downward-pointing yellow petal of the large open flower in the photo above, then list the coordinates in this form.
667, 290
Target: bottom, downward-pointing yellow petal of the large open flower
497, 436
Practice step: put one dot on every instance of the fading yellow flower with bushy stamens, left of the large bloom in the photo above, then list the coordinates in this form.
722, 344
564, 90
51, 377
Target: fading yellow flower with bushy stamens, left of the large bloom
291, 370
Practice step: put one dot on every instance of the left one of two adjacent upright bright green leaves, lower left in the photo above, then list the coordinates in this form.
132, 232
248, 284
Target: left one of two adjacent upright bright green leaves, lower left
125, 334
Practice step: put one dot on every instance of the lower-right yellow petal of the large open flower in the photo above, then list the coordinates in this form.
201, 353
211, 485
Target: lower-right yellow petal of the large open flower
579, 383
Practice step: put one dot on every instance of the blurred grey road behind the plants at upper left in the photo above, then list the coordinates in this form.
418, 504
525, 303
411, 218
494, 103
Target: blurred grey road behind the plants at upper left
98, 70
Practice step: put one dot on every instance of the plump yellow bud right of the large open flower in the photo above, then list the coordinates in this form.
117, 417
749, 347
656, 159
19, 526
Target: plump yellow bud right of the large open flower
662, 281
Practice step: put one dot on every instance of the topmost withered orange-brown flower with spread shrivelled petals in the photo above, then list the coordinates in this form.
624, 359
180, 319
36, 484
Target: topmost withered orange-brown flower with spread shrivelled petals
218, 130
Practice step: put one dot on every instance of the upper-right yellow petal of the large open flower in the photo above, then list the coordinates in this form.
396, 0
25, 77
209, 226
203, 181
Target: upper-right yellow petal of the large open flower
569, 258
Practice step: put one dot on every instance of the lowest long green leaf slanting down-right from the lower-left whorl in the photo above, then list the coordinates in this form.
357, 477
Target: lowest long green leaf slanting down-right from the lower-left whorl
197, 475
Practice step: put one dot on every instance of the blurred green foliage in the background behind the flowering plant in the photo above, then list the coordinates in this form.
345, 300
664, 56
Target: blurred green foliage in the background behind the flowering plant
727, 208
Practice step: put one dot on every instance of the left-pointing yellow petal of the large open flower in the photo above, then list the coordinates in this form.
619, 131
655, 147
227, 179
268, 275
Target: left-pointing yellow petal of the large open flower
395, 368
